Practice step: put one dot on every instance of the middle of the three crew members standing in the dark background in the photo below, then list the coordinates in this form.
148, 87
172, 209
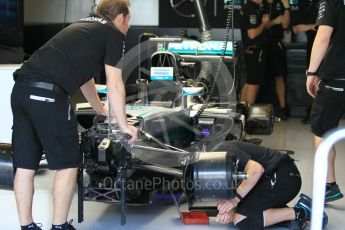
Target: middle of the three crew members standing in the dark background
279, 11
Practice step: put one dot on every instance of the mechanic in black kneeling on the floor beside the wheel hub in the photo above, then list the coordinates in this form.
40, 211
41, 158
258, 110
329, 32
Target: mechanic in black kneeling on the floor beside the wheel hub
261, 200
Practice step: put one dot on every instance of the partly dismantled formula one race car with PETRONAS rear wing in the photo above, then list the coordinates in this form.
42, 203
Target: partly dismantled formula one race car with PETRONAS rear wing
180, 119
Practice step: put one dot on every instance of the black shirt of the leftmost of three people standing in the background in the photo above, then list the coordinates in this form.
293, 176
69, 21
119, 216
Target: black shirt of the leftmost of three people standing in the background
252, 16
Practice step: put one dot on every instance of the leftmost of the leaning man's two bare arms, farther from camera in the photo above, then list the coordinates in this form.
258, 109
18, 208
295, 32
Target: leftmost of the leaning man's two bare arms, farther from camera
89, 92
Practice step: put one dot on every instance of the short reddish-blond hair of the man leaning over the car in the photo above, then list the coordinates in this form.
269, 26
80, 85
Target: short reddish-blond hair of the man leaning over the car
110, 9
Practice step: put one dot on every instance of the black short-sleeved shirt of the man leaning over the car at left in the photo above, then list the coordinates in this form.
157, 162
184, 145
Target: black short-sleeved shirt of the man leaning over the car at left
76, 54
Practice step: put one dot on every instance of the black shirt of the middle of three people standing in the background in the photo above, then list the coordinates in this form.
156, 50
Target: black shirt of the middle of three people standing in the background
276, 9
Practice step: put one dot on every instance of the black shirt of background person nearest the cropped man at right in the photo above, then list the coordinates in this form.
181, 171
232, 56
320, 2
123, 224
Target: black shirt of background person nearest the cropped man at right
303, 11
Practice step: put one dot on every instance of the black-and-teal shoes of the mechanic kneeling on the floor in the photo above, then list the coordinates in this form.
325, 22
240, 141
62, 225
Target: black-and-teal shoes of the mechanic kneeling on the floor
304, 203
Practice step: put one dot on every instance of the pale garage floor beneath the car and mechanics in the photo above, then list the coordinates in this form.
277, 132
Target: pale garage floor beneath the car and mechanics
162, 214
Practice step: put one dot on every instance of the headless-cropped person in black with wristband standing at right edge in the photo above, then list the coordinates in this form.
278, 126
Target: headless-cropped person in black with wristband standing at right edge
327, 63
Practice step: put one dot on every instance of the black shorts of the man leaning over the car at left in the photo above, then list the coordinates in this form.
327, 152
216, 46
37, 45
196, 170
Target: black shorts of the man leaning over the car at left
43, 123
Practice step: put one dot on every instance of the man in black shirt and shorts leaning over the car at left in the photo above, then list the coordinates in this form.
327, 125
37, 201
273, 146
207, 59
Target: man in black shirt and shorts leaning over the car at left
43, 120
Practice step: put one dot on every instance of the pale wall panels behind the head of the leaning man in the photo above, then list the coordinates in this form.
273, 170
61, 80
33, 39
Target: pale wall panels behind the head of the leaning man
144, 12
